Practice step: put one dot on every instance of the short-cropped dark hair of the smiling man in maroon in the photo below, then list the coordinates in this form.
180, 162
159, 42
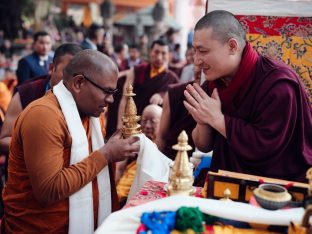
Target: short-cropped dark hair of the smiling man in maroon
224, 25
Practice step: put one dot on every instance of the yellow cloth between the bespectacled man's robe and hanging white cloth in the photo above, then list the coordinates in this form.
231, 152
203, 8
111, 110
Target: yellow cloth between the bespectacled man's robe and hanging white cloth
125, 182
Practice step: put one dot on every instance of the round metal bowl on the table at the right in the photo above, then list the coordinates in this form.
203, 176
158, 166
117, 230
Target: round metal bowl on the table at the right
271, 196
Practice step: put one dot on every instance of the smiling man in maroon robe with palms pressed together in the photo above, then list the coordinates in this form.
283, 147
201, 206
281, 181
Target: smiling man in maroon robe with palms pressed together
256, 117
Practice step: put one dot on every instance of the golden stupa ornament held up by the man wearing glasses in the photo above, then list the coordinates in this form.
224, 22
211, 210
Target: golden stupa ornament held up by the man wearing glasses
130, 119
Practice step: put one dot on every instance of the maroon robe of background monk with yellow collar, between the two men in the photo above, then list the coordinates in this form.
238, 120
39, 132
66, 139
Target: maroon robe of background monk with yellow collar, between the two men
145, 87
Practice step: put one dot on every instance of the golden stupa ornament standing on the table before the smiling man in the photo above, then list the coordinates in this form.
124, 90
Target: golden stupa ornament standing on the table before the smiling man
181, 173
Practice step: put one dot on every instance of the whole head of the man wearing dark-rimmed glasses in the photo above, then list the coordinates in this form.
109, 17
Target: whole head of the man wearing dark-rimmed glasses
91, 77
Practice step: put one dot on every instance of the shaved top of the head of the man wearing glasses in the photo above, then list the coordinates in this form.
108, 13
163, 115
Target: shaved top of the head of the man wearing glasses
88, 62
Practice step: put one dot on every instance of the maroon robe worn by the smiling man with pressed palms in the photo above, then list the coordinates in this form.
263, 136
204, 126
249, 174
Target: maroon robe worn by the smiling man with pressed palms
269, 128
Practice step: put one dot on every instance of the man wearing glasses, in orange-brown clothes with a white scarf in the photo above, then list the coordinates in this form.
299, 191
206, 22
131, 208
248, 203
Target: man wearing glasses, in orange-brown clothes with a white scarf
60, 177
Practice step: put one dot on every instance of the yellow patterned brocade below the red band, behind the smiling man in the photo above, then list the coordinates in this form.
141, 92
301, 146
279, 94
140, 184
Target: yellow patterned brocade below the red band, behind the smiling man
294, 51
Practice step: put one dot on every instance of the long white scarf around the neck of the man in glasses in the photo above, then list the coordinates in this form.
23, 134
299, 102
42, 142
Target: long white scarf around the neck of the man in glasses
81, 219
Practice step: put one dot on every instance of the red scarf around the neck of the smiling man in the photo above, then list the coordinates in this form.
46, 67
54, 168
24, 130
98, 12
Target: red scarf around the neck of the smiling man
232, 95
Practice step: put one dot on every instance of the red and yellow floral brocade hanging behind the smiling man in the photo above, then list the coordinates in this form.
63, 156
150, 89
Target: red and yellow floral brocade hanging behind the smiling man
283, 38
